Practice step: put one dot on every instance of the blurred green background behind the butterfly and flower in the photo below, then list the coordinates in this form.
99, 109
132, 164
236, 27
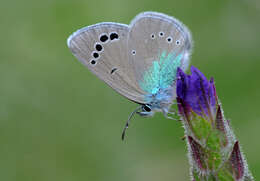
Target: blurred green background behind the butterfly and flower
59, 122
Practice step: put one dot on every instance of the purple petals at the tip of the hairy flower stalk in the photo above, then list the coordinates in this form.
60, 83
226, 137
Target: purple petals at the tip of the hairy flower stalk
195, 92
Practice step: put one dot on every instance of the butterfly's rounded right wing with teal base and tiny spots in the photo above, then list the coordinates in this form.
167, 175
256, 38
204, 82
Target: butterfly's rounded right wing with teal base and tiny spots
157, 45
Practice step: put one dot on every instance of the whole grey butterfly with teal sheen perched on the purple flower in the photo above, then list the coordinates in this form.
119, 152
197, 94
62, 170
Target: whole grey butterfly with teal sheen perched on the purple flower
139, 61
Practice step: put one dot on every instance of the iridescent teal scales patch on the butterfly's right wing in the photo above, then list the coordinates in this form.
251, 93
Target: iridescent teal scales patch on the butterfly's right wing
161, 74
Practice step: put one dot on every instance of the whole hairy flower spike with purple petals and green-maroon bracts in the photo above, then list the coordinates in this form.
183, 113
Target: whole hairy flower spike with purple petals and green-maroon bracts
209, 135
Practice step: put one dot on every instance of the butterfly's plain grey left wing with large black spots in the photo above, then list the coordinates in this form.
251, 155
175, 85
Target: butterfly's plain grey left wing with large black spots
103, 49
